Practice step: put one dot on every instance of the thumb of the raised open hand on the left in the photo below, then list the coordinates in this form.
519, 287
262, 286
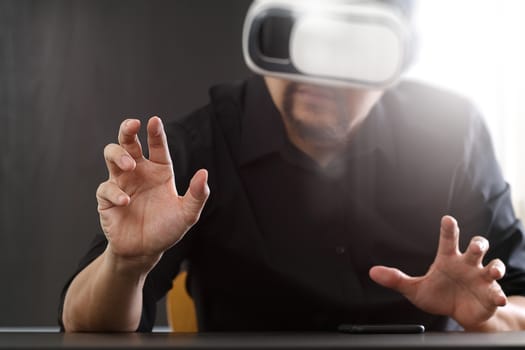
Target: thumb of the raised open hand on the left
196, 196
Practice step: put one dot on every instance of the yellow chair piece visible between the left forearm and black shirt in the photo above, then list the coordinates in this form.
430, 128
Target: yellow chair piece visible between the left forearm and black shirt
180, 308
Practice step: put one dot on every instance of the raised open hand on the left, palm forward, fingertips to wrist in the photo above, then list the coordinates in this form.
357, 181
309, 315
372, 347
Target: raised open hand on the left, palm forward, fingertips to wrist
140, 210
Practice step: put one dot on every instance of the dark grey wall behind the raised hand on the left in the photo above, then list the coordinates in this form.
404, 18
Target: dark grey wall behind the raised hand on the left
70, 71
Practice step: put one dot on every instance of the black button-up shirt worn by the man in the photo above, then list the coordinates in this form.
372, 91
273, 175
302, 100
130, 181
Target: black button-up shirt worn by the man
284, 244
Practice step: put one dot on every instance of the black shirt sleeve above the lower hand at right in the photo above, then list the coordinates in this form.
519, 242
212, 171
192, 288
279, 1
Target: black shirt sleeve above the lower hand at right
482, 204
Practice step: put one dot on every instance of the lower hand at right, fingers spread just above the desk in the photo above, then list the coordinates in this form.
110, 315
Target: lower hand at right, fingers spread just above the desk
456, 285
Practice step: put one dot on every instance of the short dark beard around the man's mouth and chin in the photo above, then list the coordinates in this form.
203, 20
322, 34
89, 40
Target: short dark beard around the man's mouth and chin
329, 122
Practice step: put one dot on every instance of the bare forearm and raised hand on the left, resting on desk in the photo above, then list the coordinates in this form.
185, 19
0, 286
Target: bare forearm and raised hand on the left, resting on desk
142, 216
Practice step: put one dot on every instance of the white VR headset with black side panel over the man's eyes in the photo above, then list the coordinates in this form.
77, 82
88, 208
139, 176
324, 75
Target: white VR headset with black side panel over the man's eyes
358, 43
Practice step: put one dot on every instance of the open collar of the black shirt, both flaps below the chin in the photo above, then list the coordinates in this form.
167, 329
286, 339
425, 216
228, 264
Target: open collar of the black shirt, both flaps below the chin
263, 130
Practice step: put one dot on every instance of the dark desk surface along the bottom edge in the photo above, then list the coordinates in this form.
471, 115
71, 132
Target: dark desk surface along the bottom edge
427, 341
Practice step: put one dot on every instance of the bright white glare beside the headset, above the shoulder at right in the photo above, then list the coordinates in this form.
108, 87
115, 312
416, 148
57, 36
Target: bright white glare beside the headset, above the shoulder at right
477, 47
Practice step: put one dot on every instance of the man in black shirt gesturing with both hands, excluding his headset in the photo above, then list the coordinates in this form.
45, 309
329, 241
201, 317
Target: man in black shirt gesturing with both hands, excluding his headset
313, 191
